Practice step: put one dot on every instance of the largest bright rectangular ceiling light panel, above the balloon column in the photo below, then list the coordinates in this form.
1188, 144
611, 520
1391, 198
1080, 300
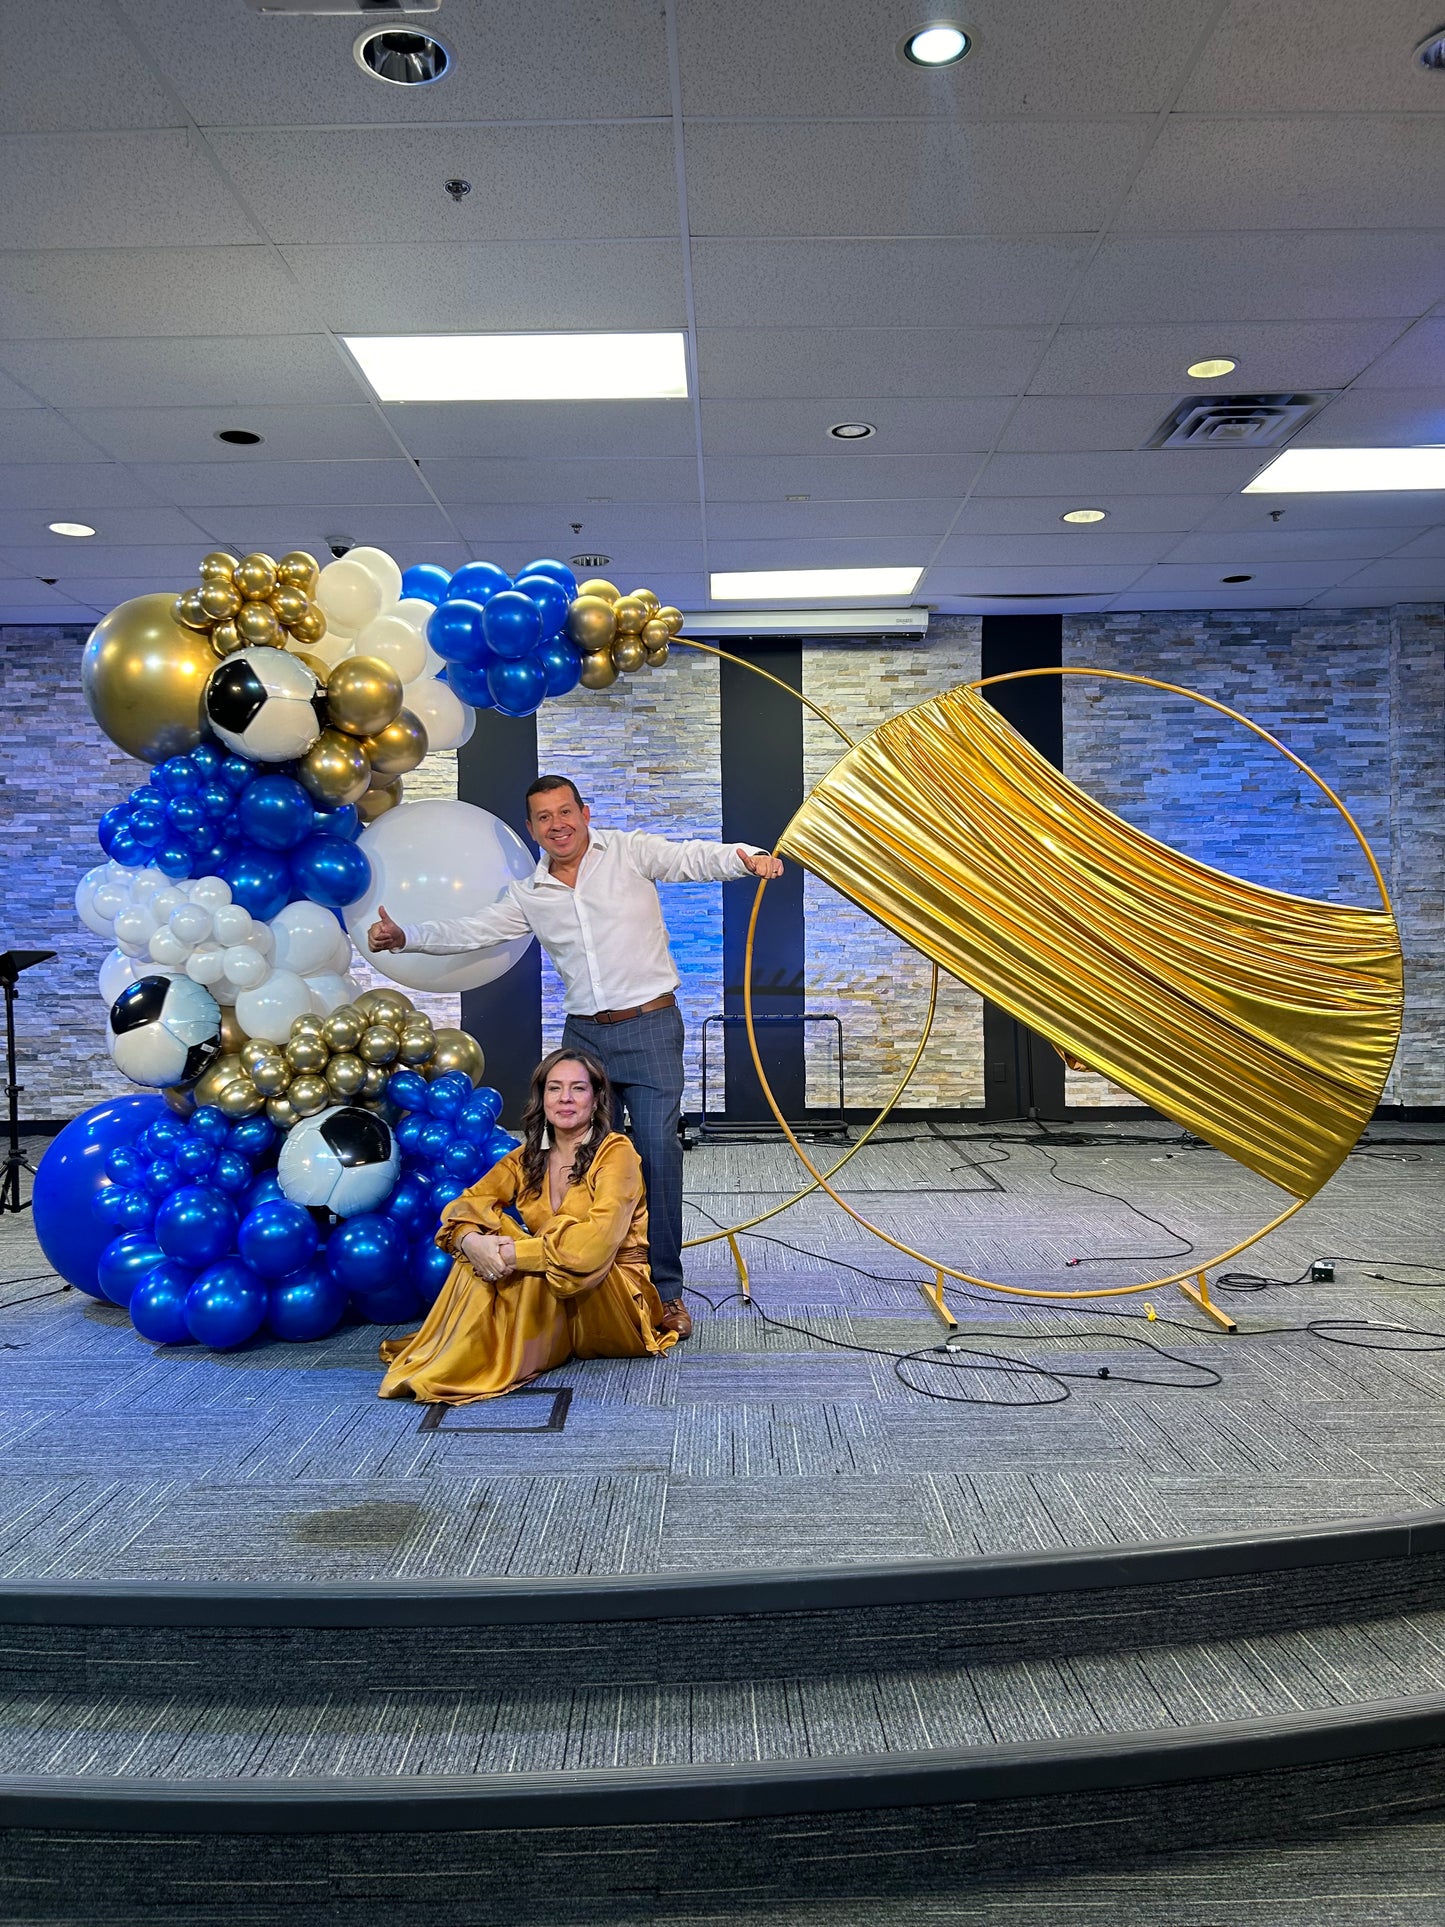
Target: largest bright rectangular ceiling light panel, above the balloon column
523, 367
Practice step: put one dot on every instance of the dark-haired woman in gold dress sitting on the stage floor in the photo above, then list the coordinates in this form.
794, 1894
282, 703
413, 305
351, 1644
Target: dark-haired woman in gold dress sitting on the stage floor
573, 1284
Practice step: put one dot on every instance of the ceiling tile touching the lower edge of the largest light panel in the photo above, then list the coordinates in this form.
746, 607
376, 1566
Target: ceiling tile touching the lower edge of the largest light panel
612, 431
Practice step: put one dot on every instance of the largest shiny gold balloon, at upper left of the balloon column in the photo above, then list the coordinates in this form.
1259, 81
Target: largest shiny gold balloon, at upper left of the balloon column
145, 675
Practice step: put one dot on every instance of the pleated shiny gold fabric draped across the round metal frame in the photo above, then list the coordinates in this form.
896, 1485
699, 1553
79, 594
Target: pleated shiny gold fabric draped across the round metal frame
1263, 1022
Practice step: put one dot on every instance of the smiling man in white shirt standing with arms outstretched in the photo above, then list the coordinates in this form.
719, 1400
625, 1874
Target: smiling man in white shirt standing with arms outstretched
592, 905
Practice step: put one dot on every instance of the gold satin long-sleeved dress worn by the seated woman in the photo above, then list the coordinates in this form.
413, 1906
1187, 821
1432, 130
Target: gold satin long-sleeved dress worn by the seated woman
581, 1288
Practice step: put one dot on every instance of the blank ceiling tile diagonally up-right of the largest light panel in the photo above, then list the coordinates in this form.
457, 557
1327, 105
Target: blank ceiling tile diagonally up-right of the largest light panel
947, 282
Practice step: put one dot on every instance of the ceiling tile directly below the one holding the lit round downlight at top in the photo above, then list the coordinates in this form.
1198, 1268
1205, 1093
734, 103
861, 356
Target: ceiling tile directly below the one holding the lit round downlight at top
908, 178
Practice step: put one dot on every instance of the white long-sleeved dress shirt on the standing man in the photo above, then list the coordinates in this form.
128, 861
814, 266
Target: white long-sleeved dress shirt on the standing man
604, 934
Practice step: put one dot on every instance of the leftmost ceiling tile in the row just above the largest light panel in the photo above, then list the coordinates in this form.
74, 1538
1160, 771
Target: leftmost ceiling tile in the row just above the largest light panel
57, 294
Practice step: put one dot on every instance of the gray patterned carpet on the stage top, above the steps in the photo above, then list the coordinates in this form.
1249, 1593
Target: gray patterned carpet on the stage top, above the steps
766, 1446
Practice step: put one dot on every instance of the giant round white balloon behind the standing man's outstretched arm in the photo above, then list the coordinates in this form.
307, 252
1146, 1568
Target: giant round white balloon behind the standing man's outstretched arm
436, 858
